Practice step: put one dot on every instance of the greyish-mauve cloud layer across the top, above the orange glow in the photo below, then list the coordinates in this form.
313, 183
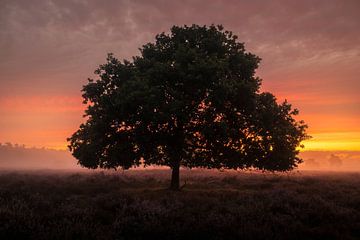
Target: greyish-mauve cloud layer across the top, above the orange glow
48, 33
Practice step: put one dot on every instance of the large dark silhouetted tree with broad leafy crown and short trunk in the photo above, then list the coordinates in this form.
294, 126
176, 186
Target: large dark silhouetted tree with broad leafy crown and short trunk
190, 99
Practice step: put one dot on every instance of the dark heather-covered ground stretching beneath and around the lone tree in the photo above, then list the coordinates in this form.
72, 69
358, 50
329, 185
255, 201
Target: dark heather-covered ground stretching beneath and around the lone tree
212, 205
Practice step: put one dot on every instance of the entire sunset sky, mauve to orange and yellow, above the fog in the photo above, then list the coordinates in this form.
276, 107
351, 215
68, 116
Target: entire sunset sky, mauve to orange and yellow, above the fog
310, 54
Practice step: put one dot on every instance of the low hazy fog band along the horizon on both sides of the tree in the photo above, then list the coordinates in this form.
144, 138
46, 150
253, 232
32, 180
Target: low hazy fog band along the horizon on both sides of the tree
14, 156
